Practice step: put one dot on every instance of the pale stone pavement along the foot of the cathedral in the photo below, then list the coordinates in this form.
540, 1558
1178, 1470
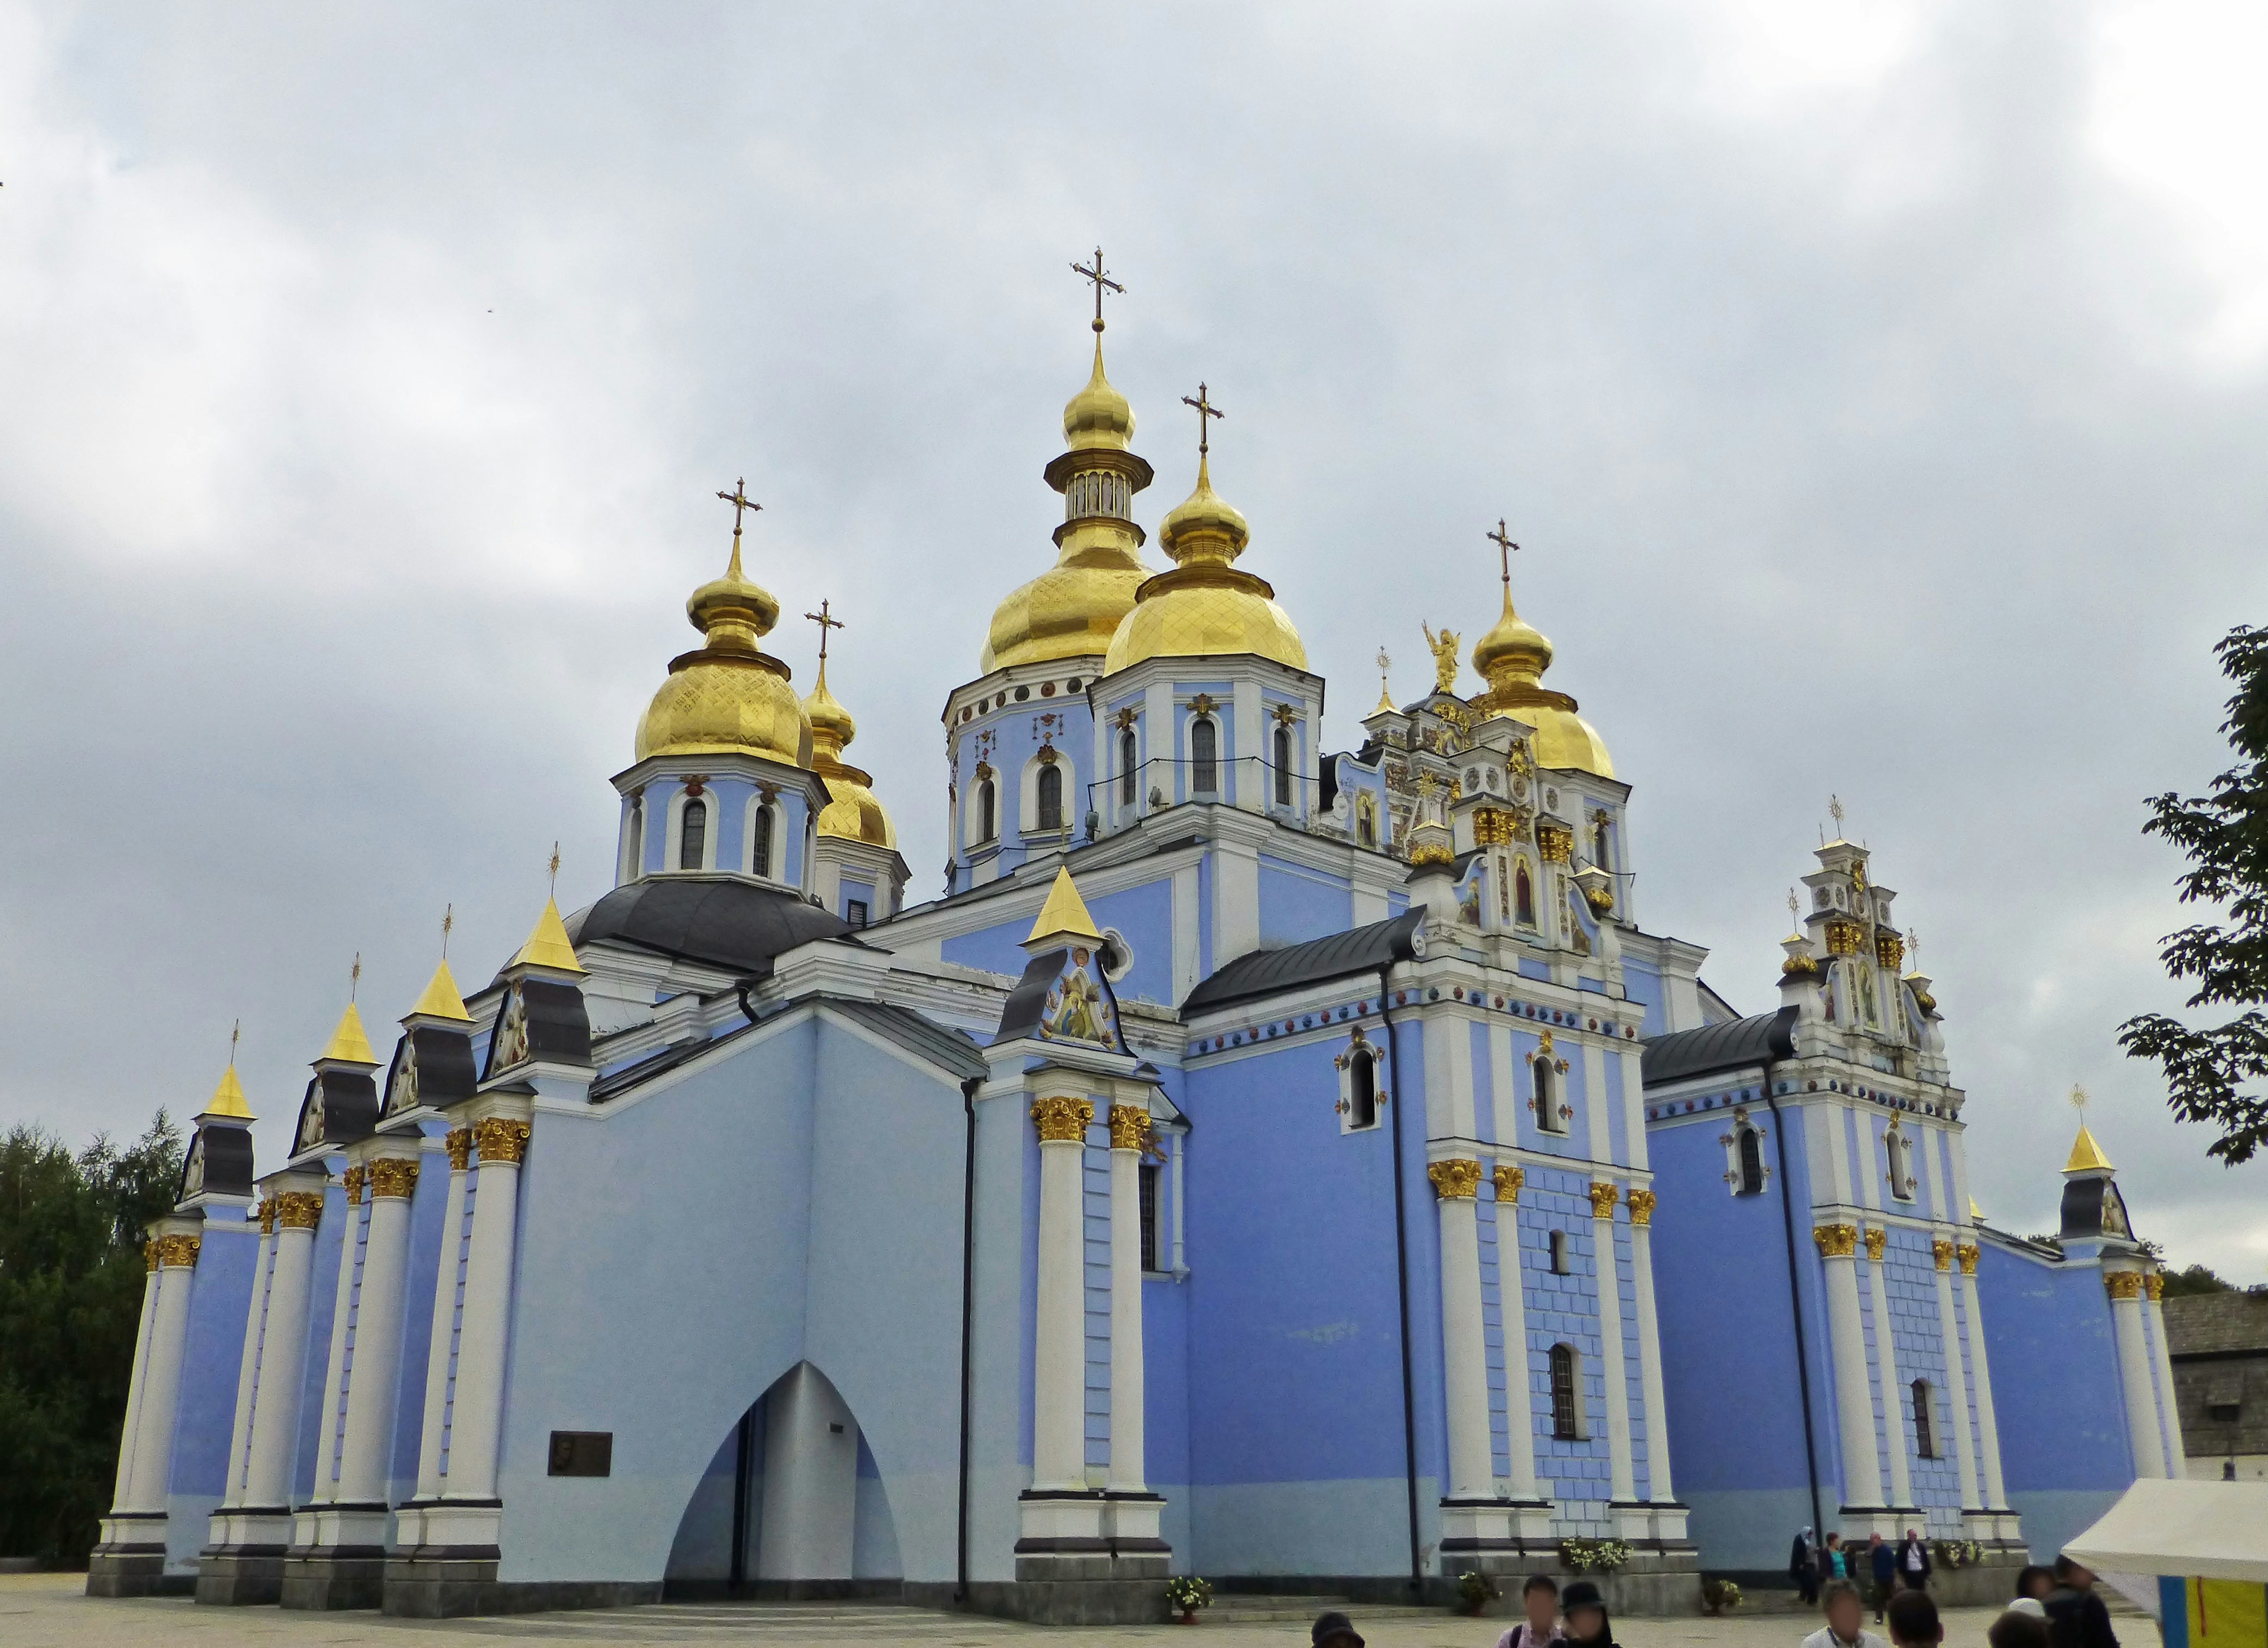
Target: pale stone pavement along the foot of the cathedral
49, 1611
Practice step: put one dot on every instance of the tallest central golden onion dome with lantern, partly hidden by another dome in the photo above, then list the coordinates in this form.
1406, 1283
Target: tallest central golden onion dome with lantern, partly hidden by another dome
1074, 609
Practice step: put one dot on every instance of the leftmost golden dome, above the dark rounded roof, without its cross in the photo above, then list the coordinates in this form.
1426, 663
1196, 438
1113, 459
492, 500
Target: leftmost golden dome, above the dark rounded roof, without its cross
729, 697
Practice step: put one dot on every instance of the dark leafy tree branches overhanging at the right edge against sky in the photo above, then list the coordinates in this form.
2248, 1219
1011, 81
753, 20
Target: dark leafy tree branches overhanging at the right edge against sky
2226, 840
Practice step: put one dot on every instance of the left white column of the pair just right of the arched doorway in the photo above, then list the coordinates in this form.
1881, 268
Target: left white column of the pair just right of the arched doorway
1060, 1330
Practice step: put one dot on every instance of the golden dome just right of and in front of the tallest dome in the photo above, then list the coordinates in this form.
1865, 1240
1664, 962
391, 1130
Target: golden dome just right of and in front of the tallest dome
1205, 609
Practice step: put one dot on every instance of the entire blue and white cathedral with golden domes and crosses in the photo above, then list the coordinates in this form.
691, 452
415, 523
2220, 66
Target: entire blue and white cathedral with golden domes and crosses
1278, 1164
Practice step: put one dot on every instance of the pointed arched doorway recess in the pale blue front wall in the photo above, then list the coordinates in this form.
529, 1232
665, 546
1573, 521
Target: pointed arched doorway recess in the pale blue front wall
790, 1506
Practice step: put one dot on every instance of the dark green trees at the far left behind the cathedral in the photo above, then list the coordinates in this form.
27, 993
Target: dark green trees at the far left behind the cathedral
71, 1286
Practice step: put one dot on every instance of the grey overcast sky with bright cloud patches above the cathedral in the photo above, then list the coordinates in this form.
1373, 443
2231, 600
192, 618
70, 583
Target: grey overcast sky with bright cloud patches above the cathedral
1877, 393
